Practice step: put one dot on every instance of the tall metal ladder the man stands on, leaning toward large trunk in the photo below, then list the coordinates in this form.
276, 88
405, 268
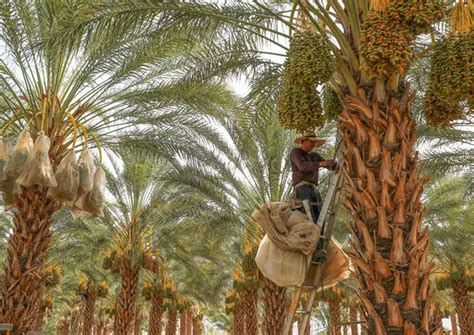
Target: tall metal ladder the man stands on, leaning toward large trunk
314, 272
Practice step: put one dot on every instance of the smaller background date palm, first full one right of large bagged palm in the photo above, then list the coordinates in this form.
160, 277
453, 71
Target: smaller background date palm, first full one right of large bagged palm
136, 192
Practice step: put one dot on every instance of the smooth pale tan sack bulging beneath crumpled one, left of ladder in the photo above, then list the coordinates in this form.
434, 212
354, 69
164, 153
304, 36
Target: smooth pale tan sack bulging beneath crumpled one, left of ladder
284, 268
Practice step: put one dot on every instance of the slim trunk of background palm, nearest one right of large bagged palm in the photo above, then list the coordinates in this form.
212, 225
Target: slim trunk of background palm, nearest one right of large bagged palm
126, 298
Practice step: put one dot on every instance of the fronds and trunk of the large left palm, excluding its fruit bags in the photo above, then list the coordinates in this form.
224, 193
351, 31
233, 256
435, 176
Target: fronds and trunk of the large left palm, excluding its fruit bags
78, 92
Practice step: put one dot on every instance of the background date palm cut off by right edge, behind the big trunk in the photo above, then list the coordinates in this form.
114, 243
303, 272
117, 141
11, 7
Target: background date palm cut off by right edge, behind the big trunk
450, 212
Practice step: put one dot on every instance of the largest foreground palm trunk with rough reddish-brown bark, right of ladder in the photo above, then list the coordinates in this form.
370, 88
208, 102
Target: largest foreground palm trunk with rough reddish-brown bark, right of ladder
383, 197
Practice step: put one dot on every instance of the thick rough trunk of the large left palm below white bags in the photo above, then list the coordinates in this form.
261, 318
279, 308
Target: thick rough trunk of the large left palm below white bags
20, 288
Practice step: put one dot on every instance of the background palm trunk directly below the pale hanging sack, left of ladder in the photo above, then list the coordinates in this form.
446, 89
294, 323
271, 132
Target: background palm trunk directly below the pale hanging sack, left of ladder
276, 304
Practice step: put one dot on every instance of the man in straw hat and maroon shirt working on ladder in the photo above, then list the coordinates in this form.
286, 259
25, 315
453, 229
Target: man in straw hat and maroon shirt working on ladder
305, 166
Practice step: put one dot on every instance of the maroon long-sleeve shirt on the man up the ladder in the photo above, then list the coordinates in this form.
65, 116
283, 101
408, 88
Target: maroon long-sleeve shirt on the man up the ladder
305, 165
